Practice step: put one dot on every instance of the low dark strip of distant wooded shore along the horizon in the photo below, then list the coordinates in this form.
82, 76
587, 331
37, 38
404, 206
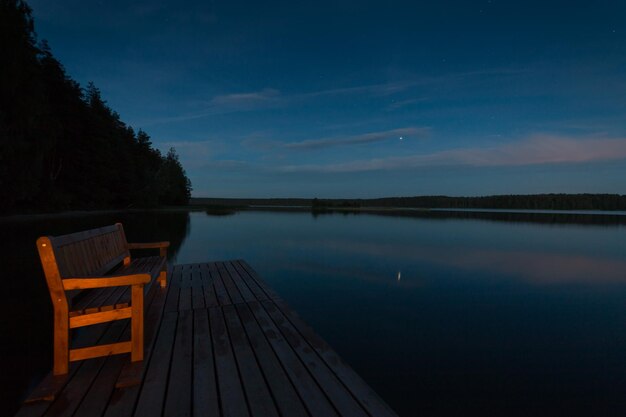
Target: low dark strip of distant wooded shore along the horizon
606, 202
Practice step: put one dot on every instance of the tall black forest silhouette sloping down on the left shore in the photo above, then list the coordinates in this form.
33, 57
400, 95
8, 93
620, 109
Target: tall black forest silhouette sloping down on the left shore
61, 146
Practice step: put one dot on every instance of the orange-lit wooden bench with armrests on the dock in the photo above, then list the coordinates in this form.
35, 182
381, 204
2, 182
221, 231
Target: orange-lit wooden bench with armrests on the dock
92, 279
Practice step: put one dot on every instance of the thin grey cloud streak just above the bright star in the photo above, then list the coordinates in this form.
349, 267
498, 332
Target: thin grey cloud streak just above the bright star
412, 132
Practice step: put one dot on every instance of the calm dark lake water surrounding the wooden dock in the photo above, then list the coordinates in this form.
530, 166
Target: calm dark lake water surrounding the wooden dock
443, 314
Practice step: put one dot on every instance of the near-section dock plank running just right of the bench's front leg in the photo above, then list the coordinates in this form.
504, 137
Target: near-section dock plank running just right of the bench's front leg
150, 402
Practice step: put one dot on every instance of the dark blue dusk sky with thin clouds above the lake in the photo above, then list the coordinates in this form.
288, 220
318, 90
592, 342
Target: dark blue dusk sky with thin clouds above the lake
362, 99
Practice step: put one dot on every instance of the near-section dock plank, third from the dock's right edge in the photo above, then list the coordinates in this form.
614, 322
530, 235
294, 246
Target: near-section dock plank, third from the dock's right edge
314, 399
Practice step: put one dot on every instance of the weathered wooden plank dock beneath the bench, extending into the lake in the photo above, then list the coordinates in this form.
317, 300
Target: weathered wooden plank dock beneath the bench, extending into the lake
218, 342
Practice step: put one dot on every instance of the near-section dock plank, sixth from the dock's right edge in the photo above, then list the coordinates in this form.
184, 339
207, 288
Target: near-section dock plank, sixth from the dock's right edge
232, 397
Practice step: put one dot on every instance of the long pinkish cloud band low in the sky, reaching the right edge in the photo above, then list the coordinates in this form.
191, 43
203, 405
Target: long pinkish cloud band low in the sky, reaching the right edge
536, 150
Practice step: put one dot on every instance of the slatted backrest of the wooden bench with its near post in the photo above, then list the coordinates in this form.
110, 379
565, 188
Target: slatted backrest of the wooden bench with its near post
88, 253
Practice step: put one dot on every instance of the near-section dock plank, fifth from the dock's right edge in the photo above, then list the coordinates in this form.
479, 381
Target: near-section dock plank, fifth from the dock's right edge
258, 394
